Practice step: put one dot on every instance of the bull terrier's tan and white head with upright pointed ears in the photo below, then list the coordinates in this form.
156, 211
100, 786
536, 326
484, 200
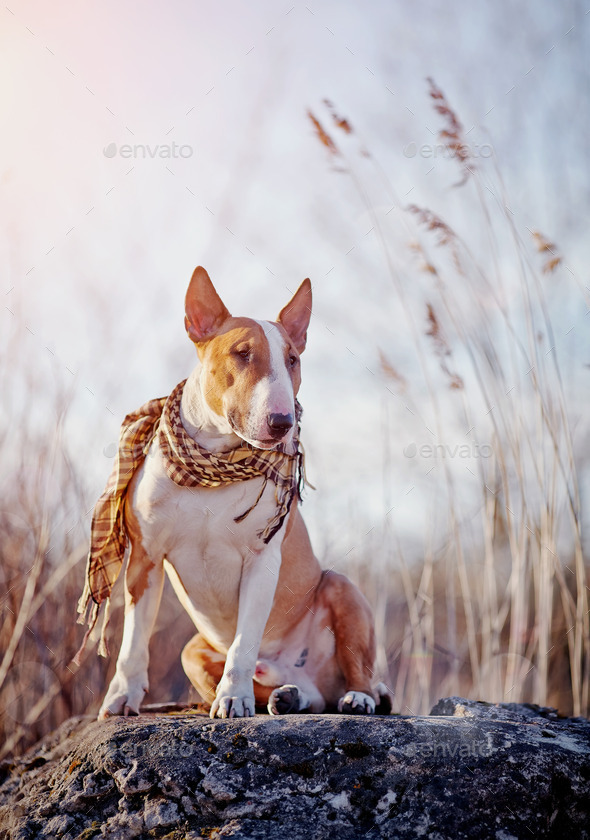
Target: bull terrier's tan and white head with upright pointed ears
250, 369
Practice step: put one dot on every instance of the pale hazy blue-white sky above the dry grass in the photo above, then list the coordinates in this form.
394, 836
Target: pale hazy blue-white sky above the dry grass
140, 140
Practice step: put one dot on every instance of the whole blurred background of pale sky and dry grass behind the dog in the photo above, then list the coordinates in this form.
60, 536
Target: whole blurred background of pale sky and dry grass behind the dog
443, 224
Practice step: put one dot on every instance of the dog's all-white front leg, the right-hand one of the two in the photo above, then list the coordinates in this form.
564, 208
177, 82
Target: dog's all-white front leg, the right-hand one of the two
235, 692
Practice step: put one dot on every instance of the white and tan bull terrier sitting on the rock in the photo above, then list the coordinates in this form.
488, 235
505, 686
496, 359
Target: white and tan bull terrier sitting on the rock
274, 629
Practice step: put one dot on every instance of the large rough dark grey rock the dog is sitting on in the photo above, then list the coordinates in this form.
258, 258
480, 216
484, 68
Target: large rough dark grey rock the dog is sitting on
469, 770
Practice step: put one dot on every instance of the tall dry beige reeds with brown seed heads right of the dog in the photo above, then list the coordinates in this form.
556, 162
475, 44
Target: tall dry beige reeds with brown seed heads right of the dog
500, 610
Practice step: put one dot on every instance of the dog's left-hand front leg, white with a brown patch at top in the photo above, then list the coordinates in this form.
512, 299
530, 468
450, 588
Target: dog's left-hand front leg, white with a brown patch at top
130, 682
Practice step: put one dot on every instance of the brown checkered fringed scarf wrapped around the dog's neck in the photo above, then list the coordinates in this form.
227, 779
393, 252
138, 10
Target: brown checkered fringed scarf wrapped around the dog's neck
188, 465
